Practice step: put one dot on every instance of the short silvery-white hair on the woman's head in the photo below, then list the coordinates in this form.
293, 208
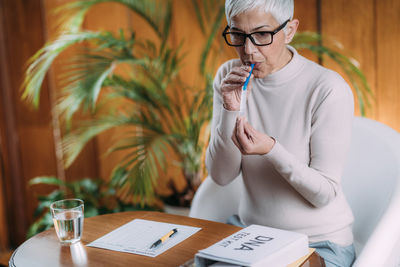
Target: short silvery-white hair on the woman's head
281, 10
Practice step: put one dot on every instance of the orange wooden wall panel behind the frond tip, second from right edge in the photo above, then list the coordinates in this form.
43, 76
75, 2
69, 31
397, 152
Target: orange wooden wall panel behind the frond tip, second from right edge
352, 23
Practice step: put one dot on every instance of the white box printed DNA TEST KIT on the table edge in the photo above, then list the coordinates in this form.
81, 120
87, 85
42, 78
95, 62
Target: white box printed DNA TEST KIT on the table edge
256, 246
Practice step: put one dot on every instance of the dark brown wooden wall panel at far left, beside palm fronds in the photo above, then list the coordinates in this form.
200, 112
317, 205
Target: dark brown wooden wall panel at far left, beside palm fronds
34, 126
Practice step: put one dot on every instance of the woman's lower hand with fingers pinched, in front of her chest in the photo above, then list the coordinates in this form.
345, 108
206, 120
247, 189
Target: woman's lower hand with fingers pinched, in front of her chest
250, 141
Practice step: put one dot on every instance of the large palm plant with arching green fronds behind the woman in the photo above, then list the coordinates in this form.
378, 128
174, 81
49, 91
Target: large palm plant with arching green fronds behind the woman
162, 119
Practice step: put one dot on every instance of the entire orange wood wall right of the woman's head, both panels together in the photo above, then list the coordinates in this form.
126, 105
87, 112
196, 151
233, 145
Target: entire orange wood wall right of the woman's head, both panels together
370, 32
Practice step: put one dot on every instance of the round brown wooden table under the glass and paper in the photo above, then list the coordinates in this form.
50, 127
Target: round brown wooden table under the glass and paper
44, 249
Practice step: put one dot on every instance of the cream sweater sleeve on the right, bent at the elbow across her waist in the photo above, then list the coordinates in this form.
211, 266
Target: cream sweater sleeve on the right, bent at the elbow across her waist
331, 125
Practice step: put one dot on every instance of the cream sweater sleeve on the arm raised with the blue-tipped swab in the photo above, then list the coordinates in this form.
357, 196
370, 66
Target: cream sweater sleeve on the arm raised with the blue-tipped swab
223, 158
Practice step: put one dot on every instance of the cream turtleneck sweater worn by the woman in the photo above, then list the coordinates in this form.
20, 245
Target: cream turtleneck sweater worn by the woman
308, 110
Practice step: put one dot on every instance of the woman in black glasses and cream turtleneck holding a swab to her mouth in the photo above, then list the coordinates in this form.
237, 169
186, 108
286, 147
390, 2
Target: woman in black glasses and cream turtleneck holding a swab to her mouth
291, 145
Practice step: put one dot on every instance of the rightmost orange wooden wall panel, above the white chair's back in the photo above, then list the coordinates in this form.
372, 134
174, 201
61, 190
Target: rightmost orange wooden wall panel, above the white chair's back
388, 63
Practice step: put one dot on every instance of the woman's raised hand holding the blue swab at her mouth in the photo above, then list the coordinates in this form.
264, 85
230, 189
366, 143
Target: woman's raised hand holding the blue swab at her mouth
231, 87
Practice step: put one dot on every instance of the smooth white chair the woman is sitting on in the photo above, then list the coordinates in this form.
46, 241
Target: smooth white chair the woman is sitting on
371, 183
